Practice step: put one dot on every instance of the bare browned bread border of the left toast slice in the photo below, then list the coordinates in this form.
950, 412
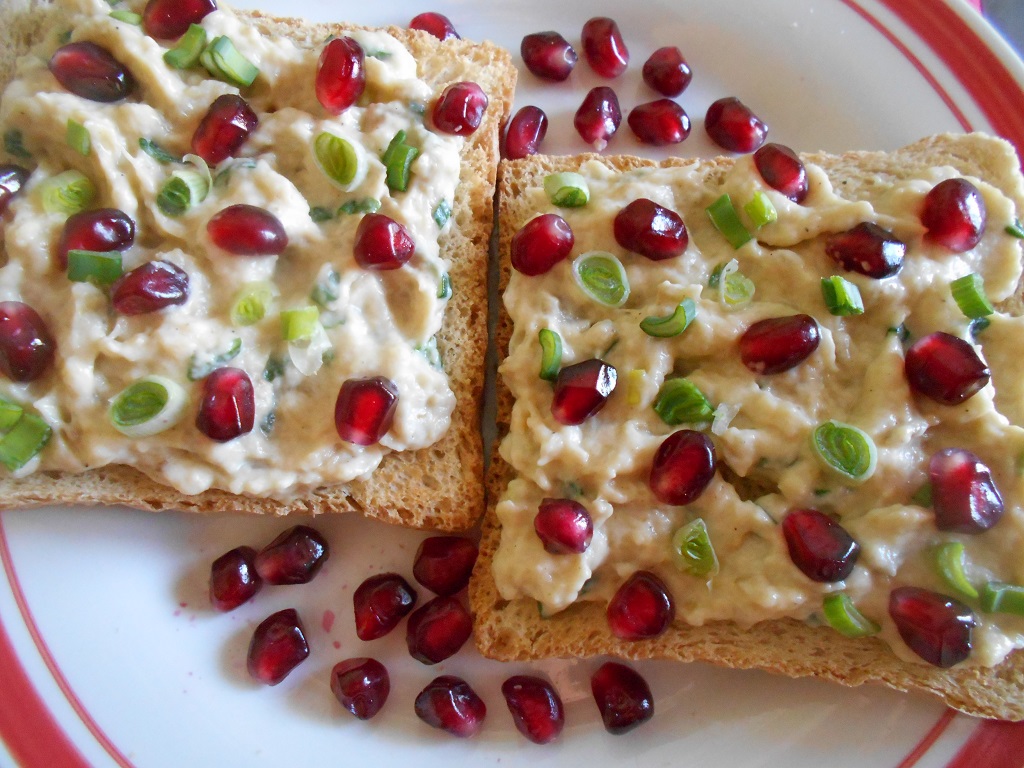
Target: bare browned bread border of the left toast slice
439, 486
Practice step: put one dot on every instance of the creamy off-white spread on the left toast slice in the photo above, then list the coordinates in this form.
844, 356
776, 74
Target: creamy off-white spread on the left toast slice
381, 324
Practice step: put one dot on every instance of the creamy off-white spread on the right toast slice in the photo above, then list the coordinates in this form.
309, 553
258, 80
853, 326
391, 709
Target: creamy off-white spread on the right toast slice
762, 434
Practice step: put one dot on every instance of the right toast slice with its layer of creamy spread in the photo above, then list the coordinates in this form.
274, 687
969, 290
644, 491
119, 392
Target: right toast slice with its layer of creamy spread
531, 605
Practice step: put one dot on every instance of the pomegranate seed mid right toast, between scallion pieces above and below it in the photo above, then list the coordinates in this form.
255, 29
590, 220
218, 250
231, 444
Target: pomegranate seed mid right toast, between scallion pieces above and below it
684, 466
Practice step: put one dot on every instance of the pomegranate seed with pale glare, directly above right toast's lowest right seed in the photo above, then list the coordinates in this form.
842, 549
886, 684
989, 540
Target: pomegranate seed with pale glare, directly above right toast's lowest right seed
964, 495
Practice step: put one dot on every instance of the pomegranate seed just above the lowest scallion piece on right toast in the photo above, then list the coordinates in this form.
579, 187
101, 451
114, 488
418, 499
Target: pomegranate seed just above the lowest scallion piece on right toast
820, 546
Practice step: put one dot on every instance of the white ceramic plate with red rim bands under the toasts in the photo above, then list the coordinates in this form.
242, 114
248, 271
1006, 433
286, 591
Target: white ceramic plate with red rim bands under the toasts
110, 655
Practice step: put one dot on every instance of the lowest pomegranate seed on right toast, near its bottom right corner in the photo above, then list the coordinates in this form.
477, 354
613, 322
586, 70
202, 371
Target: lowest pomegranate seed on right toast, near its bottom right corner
935, 627
